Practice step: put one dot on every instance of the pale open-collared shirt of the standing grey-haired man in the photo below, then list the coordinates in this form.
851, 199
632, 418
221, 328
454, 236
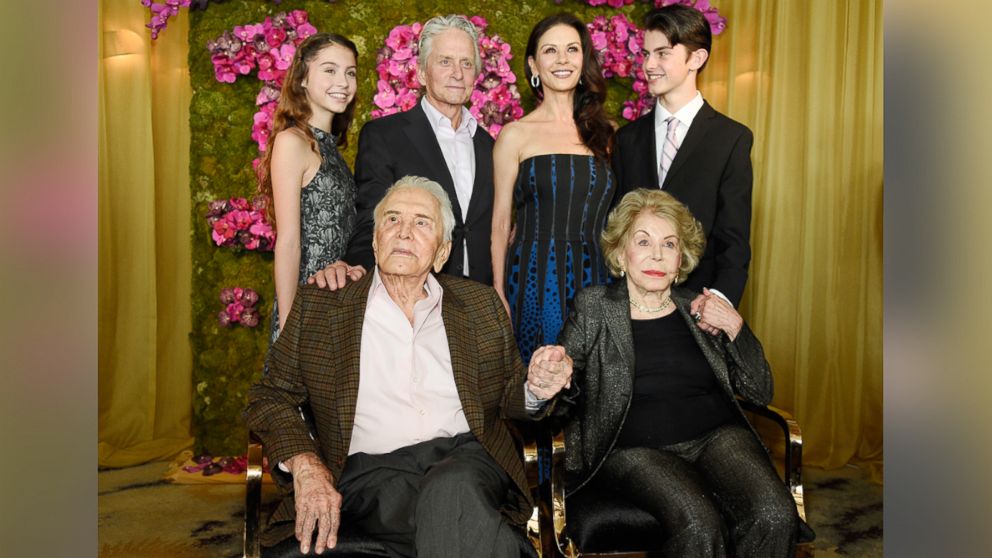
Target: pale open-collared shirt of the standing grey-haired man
459, 155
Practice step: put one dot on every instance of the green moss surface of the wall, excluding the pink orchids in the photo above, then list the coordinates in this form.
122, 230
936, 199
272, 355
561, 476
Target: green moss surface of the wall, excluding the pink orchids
226, 361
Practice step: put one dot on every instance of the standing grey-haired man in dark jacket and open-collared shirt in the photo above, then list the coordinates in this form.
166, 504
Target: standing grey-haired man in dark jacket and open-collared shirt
438, 139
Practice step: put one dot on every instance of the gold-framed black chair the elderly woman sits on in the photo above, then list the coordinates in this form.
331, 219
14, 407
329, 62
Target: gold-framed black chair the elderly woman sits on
548, 528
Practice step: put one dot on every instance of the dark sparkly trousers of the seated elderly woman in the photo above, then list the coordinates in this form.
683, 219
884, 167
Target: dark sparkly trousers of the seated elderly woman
717, 495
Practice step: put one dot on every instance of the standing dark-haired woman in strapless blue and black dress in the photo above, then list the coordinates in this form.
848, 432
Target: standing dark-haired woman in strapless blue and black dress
552, 167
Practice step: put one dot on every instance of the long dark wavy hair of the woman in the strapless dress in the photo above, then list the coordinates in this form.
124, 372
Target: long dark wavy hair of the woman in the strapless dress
590, 94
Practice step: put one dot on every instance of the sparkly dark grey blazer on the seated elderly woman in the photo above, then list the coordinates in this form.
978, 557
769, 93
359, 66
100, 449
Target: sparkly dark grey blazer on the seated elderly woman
598, 337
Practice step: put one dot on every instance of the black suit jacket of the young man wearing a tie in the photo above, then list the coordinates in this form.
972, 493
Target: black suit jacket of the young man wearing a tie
711, 174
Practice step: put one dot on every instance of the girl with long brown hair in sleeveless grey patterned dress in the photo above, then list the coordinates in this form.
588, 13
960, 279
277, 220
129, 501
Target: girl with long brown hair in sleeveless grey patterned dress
311, 189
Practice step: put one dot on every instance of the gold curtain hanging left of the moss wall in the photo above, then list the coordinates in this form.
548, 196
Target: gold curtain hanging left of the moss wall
144, 256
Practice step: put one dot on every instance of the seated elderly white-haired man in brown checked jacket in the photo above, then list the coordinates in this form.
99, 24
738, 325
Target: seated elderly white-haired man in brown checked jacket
409, 376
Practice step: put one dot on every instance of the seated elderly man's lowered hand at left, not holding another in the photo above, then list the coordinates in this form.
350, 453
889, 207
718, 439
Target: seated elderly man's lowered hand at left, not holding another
318, 504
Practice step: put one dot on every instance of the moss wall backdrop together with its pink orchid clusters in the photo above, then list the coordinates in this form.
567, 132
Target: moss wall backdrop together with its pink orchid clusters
239, 50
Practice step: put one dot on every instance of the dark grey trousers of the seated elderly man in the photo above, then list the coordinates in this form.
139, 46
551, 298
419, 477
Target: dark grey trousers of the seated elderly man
439, 498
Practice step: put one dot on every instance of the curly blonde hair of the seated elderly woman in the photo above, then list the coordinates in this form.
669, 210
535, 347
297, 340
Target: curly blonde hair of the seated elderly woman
618, 232
